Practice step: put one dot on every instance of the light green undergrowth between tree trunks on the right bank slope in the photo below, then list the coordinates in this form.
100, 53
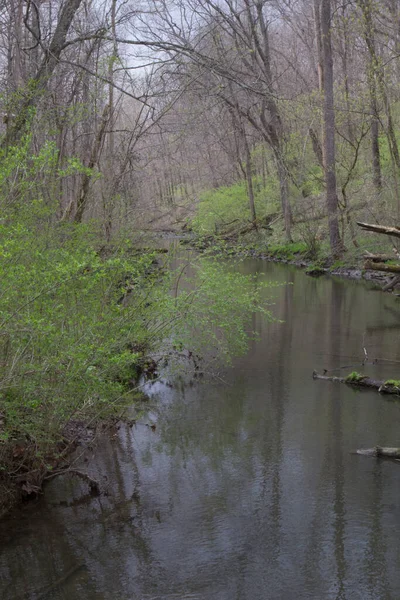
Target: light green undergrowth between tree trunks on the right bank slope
223, 213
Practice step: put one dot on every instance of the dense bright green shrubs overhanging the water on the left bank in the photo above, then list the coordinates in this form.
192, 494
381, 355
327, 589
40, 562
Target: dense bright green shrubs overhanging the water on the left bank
80, 319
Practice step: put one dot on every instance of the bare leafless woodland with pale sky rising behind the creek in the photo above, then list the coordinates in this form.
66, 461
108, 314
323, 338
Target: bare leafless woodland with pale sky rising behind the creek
161, 100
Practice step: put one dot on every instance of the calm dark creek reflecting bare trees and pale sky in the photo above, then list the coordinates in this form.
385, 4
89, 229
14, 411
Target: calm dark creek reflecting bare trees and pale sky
248, 488
